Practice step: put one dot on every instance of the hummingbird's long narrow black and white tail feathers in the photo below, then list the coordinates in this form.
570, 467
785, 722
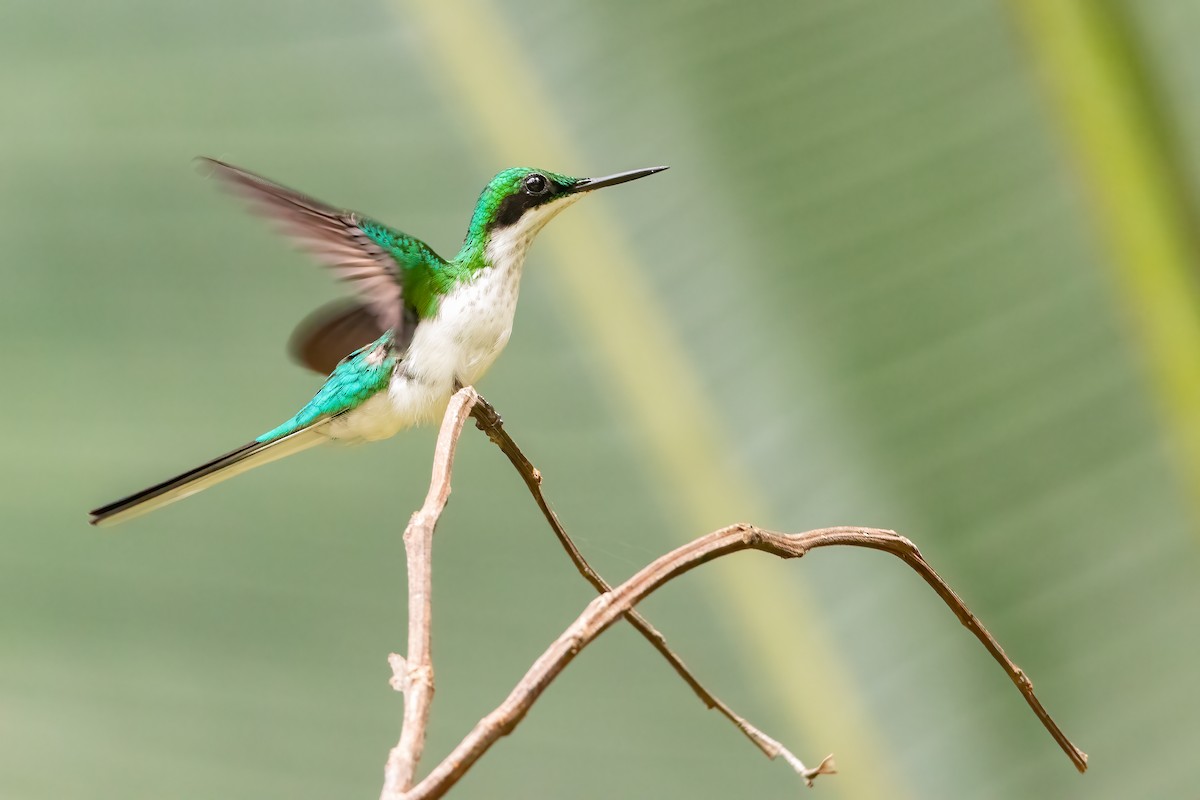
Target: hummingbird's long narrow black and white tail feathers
236, 462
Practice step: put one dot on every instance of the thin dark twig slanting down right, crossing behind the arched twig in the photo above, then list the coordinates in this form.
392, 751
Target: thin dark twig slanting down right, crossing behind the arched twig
490, 423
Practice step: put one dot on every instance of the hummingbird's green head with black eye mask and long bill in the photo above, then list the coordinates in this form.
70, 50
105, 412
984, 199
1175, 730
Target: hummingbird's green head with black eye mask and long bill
520, 201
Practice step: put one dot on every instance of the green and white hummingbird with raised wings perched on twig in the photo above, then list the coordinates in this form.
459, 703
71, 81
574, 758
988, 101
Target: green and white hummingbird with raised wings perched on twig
418, 328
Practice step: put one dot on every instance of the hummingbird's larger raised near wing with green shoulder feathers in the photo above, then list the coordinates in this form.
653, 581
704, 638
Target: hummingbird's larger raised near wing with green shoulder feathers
361, 251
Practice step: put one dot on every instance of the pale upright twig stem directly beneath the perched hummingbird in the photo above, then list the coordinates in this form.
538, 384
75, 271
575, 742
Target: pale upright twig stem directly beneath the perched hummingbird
415, 676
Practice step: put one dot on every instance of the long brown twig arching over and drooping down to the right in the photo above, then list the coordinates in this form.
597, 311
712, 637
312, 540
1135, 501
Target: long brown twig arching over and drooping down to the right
609, 607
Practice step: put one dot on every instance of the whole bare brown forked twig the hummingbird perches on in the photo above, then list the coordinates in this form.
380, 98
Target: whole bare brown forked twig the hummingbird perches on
415, 677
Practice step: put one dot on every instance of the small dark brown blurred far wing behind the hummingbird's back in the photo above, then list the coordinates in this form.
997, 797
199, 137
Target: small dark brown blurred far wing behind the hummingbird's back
338, 329
